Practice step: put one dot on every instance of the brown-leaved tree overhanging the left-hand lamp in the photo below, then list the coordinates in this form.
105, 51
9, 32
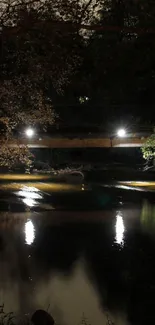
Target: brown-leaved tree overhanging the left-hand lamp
35, 58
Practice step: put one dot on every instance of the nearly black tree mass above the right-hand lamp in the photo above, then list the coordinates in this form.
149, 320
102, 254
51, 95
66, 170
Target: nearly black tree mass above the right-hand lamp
118, 70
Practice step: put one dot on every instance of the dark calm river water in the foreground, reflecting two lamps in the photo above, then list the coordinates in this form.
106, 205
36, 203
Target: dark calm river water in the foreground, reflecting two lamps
93, 263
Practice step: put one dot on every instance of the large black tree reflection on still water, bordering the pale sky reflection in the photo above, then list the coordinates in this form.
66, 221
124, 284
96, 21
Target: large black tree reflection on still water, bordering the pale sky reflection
124, 277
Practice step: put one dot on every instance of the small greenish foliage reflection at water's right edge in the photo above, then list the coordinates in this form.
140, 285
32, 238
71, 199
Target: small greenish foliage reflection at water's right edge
148, 216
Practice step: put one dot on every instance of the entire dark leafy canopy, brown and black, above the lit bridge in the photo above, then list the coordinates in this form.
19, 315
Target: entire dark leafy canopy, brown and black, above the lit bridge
44, 42
